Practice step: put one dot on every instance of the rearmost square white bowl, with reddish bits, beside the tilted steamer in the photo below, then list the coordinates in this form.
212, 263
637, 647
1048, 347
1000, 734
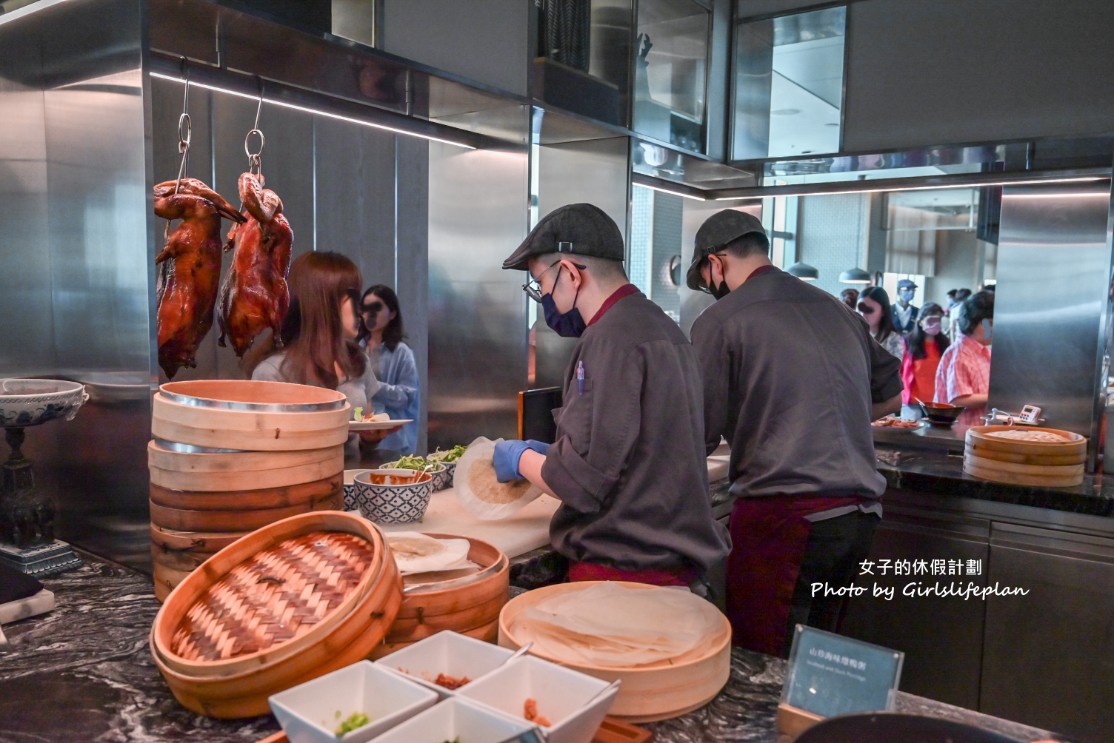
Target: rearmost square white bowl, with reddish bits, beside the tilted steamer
449, 653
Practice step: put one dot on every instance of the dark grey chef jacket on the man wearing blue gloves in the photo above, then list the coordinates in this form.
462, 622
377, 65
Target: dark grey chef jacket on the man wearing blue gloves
629, 464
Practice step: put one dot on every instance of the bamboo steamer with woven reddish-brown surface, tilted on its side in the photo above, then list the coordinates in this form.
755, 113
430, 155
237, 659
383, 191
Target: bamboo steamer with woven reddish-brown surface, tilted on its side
219, 640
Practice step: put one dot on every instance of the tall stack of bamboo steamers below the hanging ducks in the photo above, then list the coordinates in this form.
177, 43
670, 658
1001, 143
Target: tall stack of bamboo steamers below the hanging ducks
230, 457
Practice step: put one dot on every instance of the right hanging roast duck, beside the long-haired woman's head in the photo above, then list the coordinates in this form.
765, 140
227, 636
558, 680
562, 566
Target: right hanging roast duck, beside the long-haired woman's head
255, 296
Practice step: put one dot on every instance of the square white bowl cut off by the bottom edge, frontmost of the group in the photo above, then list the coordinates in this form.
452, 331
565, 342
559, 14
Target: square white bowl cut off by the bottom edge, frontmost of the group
457, 718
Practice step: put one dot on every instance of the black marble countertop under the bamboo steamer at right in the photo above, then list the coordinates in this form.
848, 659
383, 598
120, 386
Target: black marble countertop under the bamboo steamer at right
941, 473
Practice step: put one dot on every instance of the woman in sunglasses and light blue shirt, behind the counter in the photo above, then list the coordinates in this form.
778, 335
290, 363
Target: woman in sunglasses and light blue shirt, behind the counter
398, 396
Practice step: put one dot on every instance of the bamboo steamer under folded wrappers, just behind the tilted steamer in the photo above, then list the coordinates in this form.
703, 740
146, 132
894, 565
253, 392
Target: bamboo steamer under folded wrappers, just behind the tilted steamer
470, 607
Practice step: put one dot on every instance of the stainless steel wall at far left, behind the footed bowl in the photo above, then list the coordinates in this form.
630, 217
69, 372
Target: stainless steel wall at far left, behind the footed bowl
74, 261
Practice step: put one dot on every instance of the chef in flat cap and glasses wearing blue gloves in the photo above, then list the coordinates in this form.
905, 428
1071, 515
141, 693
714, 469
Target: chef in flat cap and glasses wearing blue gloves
629, 462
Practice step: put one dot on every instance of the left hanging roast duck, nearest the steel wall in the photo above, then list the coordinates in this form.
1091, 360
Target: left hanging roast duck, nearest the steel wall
191, 268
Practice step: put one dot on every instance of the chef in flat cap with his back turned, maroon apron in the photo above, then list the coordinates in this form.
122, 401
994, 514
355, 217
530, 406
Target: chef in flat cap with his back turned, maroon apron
793, 379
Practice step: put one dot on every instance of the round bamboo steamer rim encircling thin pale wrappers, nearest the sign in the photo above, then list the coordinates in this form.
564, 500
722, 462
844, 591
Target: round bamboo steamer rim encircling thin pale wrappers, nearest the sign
658, 691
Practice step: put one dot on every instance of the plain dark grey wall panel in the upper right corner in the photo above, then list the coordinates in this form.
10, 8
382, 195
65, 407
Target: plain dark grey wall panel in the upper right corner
953, 72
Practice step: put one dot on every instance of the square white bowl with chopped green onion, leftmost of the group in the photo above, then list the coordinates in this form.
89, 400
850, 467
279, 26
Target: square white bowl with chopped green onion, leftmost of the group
310, 712
